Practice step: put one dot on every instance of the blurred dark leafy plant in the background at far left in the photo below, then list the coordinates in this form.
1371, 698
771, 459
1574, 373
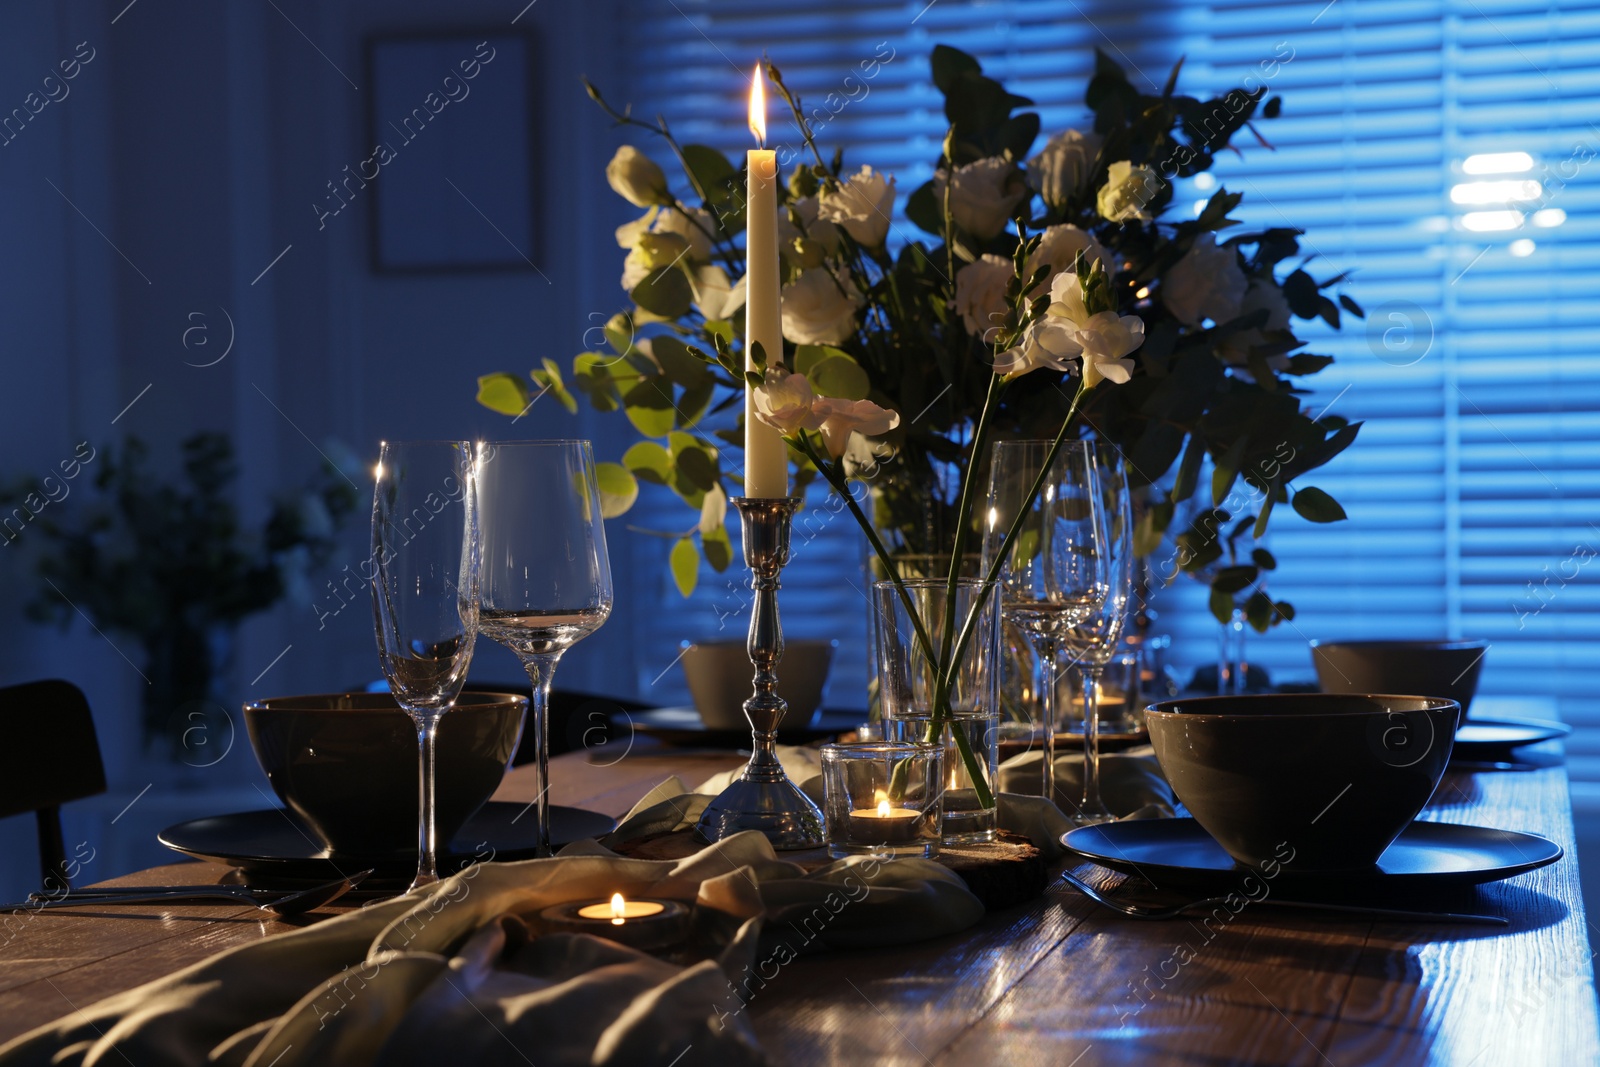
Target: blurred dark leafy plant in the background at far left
172, 565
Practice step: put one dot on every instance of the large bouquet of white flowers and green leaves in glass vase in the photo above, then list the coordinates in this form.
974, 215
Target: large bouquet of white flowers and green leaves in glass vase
1047, 298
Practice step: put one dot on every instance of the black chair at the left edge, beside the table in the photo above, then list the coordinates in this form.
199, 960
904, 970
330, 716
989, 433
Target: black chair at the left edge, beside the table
50, 756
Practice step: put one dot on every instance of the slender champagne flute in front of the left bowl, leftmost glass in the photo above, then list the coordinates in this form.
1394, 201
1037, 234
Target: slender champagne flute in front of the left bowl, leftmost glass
425, 596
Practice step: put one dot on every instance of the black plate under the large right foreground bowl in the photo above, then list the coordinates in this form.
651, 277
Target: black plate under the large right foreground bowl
1433, 855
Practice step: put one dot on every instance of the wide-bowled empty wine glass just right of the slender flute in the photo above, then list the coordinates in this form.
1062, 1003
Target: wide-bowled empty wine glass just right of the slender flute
546, 572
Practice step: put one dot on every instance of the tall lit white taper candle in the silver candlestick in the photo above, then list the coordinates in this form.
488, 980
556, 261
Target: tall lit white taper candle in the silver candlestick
766, 455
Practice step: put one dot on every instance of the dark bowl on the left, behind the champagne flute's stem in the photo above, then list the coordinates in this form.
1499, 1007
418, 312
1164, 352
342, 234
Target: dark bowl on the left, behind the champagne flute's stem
346, 764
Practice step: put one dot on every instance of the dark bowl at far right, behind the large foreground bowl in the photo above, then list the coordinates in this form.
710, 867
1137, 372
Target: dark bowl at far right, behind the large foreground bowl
1446, 669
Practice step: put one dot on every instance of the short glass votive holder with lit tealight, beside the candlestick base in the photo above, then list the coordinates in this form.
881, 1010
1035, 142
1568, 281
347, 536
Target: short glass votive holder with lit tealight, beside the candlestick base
882, 797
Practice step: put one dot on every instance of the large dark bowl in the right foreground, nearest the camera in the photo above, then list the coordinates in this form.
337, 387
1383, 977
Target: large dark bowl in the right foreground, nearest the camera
1318, 781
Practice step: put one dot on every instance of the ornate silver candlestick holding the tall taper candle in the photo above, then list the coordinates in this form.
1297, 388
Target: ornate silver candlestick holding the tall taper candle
762, 797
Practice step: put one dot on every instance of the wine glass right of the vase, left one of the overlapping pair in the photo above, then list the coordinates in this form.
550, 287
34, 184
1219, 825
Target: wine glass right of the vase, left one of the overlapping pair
1055, 575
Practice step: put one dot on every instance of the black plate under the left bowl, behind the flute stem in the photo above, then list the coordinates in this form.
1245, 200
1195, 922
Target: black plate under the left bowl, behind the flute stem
276, 844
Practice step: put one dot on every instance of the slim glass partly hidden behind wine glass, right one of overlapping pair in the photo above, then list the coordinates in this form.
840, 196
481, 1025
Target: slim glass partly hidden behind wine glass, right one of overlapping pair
1092, 642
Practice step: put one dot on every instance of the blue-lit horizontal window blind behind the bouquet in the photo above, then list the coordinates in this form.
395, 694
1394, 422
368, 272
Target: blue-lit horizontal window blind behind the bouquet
1444, 151
